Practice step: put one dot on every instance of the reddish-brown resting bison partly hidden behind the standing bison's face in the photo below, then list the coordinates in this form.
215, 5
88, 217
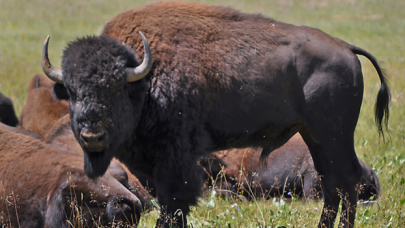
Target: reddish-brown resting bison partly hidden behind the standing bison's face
45, 114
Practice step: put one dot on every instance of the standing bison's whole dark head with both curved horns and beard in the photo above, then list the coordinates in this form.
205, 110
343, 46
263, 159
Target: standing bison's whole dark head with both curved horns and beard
103, 80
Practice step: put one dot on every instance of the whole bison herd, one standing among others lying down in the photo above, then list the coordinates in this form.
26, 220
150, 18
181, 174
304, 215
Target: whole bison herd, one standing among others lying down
254, 107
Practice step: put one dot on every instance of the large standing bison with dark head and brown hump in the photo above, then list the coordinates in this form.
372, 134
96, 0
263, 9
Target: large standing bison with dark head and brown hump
218, 79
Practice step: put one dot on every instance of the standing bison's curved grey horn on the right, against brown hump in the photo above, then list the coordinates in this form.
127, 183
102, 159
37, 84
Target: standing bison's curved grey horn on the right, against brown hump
137, 73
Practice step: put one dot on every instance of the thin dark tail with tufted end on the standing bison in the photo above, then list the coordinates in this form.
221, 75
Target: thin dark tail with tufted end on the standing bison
383, 98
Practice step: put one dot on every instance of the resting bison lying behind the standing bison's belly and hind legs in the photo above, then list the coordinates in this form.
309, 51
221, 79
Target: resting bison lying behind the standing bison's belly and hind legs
288, 171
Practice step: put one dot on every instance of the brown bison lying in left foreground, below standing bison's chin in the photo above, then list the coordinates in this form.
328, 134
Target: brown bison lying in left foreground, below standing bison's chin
41, 186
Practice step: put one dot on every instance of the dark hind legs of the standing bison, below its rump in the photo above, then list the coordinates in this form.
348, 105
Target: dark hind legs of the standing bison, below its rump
336, 162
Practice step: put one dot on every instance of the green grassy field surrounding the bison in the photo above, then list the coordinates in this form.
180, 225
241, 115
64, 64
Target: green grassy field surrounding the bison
377, 26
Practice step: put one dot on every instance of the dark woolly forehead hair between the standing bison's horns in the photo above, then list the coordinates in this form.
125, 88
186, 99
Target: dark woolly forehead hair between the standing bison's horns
100, 61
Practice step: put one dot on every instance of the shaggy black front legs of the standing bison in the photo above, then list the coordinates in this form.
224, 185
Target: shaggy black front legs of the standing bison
179, 184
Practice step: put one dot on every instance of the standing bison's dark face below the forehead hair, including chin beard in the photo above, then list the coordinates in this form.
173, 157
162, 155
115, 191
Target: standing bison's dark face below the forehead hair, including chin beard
101, 126
